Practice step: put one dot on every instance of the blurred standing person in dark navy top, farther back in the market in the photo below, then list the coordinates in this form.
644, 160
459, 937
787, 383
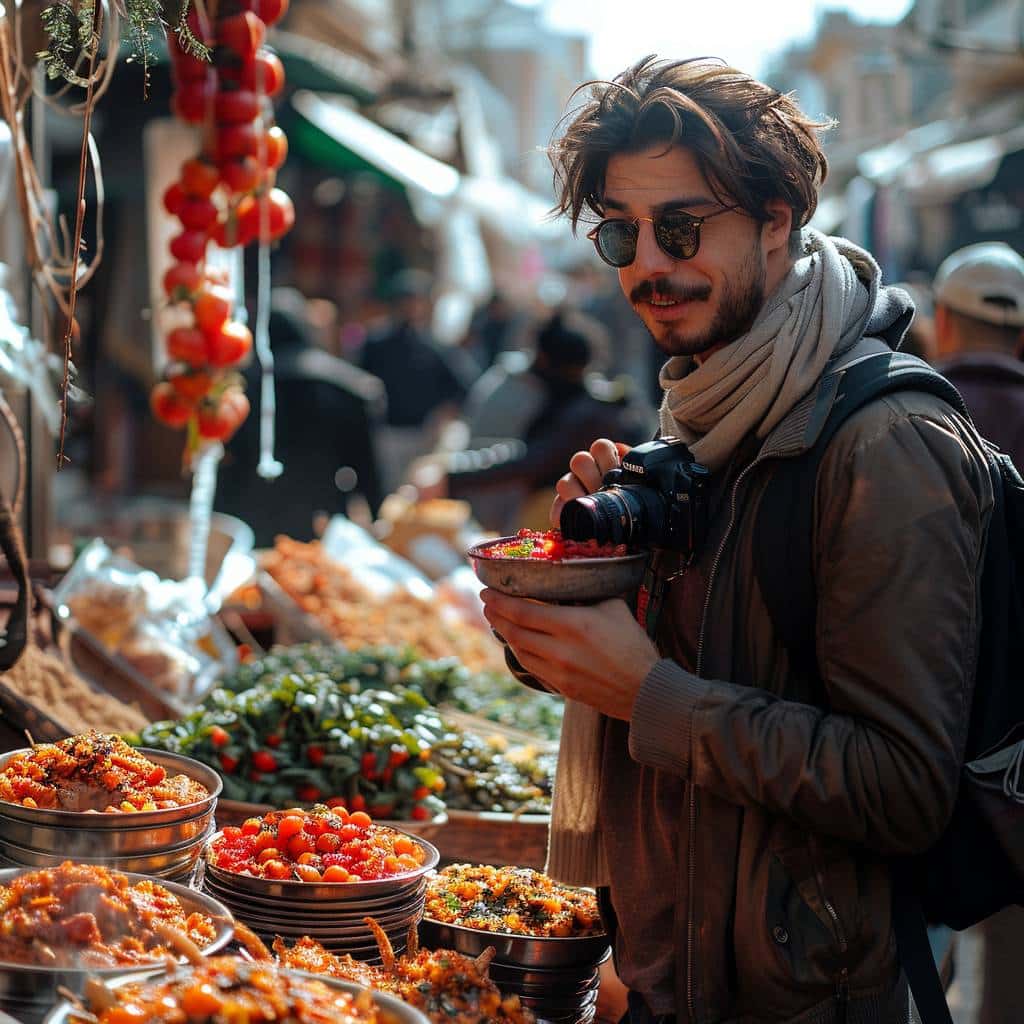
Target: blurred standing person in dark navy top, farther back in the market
425, 383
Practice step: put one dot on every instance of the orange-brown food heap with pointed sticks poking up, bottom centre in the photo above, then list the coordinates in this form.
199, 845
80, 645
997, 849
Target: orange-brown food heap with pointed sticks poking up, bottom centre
447, 987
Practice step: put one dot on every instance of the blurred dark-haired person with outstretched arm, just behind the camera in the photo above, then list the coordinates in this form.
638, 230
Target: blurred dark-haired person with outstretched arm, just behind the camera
526, 422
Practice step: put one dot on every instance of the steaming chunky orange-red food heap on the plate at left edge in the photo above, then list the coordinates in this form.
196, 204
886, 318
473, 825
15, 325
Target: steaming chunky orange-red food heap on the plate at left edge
78, 916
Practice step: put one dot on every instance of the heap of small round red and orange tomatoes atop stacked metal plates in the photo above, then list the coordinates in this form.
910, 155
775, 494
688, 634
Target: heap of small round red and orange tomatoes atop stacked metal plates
326, 844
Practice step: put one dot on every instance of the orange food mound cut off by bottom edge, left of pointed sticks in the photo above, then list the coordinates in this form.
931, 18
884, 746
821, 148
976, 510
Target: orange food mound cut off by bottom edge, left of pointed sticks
231, 990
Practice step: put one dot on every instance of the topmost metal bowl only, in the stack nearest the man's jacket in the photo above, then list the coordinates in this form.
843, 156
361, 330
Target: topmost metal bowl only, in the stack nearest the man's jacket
525, 951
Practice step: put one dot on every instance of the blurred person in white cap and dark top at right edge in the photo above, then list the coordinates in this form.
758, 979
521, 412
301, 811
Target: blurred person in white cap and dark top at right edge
979, 327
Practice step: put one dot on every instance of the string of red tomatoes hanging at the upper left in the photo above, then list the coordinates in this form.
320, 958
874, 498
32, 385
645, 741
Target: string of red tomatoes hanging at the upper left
225, 195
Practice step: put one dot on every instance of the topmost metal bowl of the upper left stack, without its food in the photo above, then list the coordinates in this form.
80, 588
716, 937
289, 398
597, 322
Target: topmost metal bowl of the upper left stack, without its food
176, 764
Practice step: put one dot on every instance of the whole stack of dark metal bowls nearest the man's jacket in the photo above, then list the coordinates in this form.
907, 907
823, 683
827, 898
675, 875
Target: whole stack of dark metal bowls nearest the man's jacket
557, 978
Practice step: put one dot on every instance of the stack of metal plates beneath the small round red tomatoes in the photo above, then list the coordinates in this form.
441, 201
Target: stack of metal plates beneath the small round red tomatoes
330, 913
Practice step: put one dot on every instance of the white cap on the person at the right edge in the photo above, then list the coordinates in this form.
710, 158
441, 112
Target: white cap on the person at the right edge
986, 281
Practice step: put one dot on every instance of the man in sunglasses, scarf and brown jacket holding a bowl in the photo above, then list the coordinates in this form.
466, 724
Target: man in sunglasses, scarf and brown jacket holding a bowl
738, 816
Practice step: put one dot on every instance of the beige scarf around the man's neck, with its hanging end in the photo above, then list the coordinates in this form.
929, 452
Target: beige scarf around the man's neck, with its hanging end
821, 310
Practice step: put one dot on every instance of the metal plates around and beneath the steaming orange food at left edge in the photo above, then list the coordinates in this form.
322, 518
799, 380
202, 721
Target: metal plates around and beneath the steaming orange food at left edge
28, 993
